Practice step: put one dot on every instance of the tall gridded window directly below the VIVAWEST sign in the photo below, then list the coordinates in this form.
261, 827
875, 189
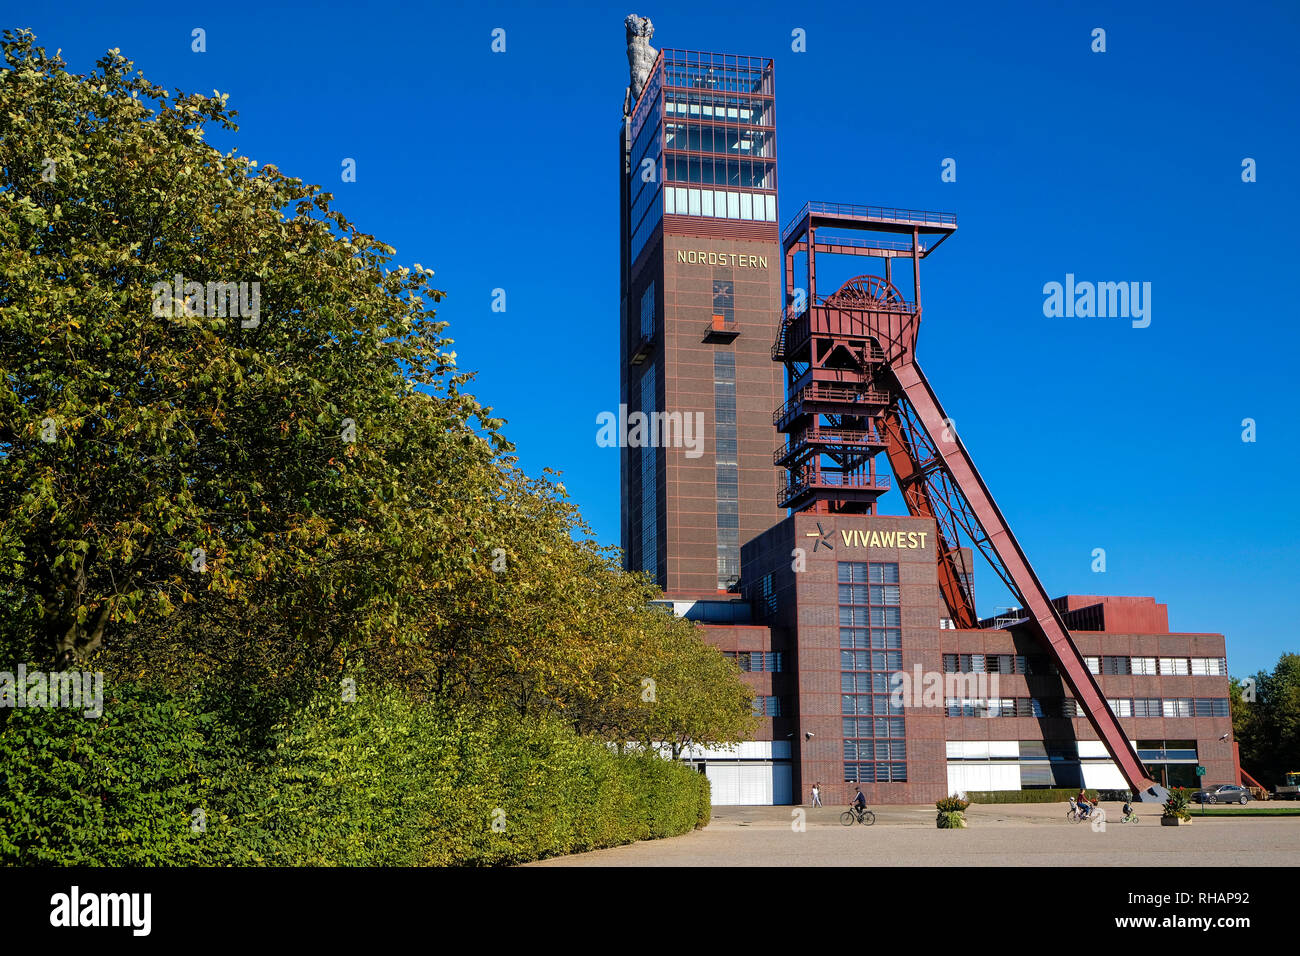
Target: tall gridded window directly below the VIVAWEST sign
876, 749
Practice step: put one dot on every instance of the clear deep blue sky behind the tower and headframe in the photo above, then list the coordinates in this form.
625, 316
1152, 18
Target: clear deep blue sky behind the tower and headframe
500, 171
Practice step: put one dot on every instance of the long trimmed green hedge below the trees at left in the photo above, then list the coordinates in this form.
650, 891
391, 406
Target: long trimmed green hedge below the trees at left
376, 782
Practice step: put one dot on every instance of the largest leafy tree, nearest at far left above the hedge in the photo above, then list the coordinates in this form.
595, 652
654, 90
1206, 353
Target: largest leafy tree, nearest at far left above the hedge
158, 461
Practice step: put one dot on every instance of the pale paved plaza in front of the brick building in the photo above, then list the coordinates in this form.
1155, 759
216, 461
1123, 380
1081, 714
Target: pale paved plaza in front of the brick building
999, 836
